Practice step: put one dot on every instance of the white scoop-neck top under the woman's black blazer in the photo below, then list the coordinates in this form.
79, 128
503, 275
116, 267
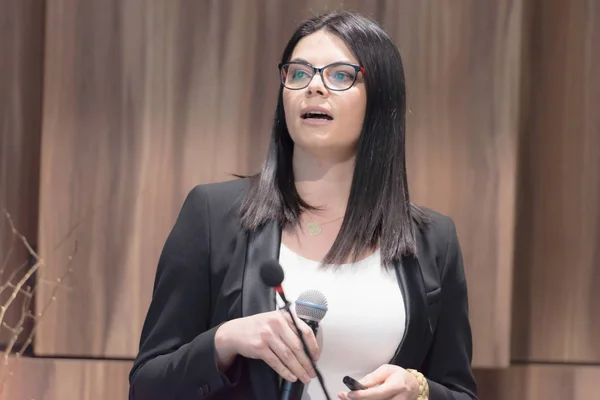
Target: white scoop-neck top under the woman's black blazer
364, 324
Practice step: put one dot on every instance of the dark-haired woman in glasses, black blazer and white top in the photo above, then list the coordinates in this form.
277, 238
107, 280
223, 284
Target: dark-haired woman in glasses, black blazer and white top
331, 203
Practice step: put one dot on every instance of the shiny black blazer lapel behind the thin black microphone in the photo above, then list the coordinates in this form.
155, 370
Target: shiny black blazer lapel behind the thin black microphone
258, 298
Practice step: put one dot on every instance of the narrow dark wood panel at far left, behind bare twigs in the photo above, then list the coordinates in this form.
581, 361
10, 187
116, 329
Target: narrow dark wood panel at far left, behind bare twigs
21, 71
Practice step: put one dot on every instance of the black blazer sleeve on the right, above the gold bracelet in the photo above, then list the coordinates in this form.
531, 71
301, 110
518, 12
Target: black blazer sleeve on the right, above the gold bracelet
448, 363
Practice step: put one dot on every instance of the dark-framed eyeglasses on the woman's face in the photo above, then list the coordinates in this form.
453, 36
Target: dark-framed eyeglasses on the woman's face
337, 76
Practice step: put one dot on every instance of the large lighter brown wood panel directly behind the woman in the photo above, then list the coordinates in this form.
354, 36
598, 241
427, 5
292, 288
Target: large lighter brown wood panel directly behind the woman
145, 99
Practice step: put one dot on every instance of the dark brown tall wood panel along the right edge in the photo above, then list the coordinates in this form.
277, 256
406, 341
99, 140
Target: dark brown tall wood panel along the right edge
557, 280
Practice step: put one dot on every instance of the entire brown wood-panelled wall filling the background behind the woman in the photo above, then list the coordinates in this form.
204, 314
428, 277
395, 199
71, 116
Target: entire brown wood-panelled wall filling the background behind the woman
112, 110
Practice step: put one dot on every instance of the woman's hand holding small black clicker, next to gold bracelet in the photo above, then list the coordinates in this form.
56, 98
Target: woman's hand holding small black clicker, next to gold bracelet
388, 382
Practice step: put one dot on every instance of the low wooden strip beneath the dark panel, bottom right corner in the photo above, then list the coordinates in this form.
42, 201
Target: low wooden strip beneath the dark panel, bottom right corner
536, 382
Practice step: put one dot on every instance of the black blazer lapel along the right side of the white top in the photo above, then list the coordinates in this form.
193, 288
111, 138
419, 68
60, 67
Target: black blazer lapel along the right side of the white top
411, 351
